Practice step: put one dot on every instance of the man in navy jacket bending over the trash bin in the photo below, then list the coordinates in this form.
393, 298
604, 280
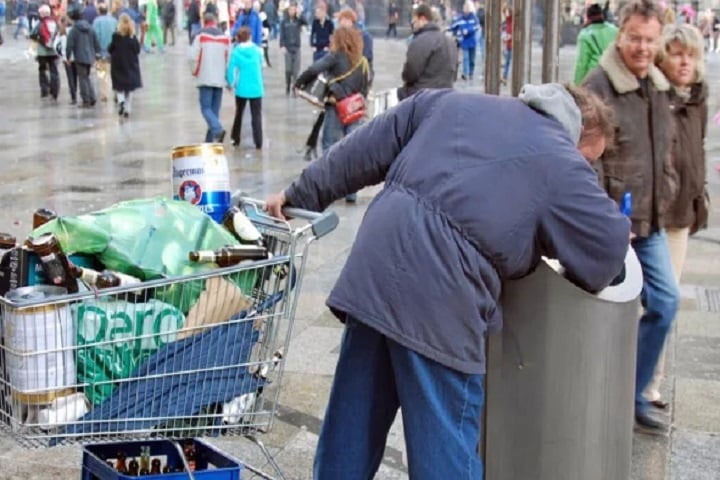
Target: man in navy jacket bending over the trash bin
477, 189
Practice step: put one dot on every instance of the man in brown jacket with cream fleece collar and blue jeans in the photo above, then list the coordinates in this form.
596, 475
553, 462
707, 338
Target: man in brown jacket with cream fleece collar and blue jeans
638, 92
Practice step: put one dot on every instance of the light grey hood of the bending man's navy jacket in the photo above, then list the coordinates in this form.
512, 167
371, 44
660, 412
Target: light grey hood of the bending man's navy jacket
553, 100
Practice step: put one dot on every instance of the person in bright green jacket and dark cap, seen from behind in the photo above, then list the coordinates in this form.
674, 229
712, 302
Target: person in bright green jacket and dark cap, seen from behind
592, 41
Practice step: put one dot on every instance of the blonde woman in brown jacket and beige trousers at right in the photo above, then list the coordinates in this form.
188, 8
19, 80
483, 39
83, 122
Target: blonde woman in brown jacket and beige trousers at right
681, 60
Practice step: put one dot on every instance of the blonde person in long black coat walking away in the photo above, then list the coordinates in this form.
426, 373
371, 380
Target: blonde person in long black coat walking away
124, 52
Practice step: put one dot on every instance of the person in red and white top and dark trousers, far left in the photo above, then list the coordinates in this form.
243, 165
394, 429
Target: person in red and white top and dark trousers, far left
45, 34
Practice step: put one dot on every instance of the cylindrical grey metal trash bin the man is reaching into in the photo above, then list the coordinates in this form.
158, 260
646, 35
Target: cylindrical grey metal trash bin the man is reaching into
561, 379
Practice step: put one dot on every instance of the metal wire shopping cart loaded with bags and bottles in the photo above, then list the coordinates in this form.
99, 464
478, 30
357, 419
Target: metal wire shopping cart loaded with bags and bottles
197, 355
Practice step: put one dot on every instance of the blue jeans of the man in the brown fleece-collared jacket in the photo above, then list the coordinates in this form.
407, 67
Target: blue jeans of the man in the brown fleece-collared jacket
660, 298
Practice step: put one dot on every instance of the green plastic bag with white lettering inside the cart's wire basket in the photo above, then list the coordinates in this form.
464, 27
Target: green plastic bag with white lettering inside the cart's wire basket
114, 337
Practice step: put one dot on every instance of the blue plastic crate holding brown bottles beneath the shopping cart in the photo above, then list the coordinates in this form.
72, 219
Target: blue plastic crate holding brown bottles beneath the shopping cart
221, 466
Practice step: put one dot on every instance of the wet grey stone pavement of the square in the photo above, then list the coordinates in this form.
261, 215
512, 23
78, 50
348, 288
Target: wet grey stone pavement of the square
74, 160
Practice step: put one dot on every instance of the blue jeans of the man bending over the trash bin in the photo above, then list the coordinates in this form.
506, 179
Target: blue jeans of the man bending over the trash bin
441, 411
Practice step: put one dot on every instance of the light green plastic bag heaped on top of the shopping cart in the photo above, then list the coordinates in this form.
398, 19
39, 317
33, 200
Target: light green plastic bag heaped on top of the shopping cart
149, 239
